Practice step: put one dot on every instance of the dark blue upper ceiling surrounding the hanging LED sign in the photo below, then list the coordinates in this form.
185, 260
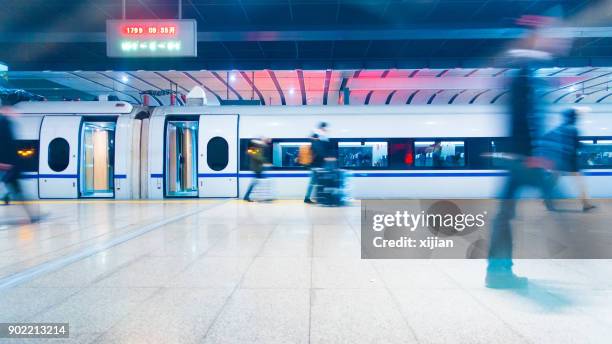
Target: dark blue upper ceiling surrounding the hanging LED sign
68, 35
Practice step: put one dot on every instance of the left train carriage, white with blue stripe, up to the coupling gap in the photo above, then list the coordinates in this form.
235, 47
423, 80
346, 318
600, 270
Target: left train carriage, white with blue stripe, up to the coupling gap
80, 149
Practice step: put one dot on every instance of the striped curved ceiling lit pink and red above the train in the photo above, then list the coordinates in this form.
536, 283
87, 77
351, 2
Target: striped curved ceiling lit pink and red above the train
585, 85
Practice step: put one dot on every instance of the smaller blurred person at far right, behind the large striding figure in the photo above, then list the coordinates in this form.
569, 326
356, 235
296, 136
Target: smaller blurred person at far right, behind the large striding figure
563, 145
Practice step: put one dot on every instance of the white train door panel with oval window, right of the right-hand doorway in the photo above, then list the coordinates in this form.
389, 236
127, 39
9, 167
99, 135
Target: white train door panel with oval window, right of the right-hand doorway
218, 161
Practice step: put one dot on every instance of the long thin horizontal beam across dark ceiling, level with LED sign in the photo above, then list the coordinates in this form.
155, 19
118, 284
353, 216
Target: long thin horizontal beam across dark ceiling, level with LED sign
323, 35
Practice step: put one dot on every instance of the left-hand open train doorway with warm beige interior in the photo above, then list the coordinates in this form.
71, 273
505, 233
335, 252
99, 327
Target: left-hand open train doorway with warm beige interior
97, 165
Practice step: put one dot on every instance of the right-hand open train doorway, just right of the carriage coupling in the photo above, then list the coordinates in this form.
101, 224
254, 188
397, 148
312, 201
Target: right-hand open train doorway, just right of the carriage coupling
181, 175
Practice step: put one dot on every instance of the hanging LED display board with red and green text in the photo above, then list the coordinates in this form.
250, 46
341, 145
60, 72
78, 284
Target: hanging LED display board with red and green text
151, 38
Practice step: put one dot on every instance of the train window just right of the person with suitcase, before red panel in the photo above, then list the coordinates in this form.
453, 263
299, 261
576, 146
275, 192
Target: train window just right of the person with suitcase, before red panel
363, 154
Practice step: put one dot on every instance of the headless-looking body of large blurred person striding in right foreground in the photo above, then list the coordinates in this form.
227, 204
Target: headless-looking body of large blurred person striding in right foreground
525, 169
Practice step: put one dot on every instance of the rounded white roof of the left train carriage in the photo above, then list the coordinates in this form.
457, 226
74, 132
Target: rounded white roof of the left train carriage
72, 107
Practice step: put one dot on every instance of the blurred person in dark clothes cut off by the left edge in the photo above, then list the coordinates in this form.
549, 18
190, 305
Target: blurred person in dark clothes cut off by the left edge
10, 165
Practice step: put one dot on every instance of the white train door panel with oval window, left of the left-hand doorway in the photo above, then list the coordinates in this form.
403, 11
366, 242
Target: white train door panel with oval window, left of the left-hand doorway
59, 151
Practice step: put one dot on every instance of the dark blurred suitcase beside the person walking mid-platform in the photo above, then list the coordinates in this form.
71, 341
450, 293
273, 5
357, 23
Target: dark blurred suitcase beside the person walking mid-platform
330, 186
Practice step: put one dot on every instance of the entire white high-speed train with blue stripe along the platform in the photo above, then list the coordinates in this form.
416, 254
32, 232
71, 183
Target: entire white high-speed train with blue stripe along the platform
200, 151
